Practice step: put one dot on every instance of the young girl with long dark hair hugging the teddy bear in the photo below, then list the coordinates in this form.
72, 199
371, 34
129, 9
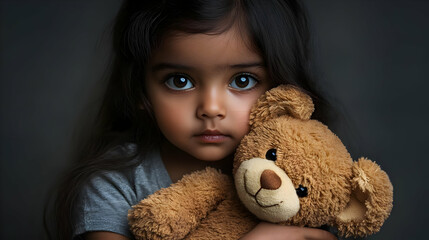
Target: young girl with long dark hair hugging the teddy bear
185, 76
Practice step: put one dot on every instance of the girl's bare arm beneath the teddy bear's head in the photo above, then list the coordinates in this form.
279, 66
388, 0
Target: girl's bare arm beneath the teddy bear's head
272, 231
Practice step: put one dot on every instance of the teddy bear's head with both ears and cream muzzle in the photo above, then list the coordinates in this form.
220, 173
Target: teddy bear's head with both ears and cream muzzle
290, 169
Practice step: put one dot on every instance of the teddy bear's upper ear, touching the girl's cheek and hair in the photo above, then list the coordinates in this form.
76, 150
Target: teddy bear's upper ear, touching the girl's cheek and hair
282, 100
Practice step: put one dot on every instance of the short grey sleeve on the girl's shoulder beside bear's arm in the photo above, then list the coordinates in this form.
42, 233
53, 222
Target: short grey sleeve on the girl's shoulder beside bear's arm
103, 205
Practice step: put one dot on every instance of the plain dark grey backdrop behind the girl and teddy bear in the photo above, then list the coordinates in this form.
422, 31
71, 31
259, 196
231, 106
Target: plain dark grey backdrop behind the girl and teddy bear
373, 58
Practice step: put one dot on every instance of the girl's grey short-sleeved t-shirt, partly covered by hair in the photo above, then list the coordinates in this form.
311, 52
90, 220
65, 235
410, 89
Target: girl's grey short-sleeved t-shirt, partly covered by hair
105, 200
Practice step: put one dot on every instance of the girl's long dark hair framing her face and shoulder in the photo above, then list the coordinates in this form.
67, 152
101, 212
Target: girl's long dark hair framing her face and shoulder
277, 29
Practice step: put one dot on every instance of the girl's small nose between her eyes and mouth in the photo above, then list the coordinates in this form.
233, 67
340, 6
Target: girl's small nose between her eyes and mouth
212, 104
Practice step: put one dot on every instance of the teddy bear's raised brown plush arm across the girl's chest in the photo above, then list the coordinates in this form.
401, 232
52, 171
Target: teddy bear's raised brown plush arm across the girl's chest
171, 213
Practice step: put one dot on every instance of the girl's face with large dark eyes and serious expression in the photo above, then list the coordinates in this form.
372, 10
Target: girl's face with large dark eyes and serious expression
201, 88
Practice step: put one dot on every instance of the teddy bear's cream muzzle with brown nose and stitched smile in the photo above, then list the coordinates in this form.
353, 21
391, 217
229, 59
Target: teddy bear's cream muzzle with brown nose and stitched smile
266, 190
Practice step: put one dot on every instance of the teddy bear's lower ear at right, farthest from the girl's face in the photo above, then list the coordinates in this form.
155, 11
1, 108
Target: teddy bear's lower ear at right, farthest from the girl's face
370, 203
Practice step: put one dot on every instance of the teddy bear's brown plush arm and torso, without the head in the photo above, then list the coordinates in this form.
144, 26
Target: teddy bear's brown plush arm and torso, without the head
202, 205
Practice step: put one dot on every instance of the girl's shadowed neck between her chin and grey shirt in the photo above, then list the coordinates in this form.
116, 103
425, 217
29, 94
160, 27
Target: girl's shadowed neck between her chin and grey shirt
179, 163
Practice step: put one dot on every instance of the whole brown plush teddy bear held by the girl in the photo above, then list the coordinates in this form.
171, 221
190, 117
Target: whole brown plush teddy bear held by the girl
289, 170
